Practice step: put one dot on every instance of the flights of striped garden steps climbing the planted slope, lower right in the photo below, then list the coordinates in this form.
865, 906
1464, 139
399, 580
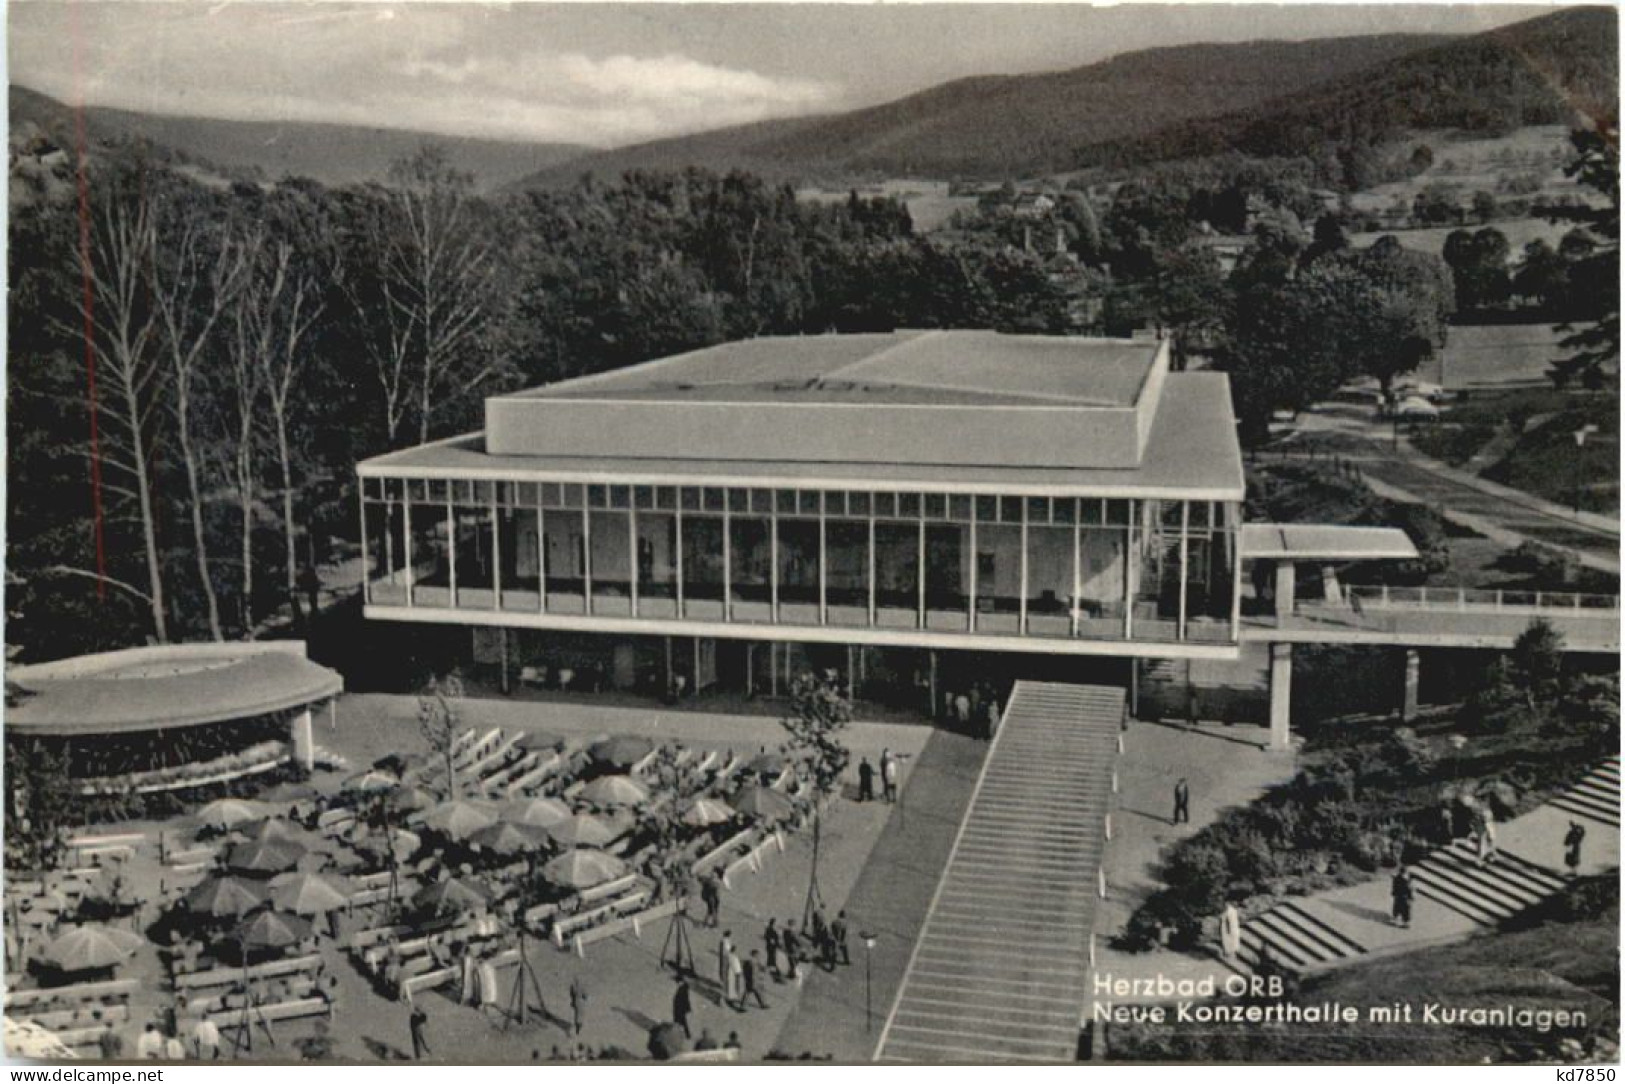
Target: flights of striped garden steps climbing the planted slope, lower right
1309, 935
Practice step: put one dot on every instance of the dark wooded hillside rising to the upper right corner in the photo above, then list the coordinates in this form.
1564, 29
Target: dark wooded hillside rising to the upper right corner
1556, 69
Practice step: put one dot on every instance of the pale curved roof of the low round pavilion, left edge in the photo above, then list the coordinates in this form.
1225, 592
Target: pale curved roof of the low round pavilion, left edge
160, 688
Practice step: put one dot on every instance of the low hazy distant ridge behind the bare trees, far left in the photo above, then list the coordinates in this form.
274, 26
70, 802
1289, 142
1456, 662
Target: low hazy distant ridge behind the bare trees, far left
271, 150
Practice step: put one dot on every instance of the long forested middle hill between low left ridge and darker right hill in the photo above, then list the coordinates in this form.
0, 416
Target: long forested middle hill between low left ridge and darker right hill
1013, 124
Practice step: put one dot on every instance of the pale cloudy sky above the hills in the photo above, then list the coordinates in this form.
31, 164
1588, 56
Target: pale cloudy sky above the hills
602, 74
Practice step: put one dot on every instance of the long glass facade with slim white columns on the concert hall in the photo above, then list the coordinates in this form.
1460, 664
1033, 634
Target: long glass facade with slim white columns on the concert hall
987, 565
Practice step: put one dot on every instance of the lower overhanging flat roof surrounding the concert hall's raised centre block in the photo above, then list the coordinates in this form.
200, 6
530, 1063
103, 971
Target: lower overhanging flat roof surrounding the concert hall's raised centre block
1190, 451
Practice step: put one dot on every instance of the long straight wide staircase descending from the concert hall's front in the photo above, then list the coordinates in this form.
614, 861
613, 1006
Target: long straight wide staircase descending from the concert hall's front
1000, 969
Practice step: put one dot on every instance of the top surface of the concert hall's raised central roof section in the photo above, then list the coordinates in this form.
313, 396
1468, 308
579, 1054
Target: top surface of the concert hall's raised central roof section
921, 368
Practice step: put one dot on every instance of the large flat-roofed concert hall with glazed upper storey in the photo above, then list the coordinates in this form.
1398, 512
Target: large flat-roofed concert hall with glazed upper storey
911, 492
